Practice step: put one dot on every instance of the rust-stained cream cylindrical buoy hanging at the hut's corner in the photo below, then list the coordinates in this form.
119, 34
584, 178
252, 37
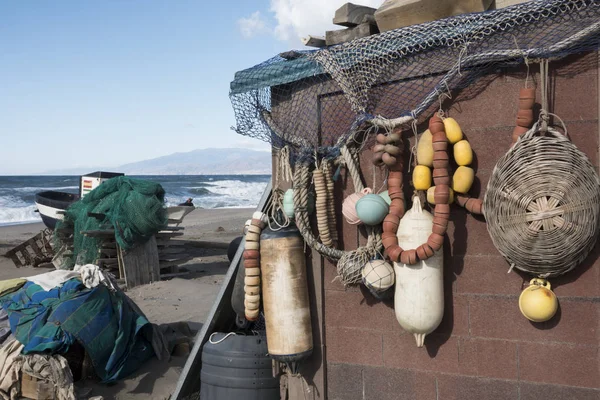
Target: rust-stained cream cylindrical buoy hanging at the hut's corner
285, 294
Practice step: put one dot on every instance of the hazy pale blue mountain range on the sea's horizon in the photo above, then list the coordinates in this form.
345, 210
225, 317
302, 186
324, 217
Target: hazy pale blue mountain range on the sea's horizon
233, 161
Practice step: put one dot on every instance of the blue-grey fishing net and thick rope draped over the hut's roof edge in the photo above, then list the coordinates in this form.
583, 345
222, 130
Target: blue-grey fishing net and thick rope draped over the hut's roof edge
321, 107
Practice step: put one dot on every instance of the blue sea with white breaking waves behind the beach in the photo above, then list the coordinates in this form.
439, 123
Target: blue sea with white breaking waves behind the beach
17, 193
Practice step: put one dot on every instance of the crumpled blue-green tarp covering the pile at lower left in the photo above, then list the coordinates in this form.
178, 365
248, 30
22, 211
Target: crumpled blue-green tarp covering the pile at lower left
114, 334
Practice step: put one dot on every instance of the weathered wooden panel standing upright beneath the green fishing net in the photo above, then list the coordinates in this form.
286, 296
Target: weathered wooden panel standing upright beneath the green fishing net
141, 264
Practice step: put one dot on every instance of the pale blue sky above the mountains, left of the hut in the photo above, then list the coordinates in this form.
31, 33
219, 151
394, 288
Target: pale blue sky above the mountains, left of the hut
136, 78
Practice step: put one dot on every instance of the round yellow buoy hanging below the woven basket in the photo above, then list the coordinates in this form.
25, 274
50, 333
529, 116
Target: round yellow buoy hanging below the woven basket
537, 302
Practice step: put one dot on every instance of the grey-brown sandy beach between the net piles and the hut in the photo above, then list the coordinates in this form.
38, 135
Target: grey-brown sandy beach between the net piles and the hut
180, 299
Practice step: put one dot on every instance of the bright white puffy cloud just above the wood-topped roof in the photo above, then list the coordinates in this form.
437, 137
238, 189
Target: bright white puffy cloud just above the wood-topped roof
297, 18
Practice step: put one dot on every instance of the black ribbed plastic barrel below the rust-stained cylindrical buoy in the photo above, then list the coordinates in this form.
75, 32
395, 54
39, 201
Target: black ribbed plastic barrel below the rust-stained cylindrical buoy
237, 367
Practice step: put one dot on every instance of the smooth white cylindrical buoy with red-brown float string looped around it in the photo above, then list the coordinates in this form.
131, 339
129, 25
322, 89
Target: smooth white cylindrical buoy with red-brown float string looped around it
419, 295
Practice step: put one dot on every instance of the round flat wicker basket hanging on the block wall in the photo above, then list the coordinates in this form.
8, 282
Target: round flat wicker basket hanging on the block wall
542, 204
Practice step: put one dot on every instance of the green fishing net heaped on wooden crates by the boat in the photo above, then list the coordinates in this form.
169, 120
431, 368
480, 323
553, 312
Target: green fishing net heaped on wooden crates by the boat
134, 208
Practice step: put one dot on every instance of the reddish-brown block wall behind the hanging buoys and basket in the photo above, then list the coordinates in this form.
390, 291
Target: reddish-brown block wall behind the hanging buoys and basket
484, 348
